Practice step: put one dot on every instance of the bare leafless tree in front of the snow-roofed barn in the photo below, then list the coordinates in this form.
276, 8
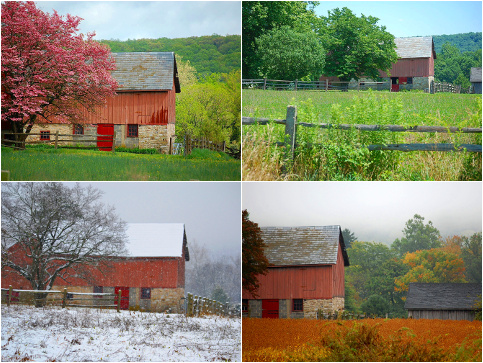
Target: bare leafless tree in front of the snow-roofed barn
49, 231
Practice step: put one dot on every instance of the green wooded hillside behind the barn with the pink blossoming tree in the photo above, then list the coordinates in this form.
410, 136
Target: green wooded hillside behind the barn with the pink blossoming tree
208, 54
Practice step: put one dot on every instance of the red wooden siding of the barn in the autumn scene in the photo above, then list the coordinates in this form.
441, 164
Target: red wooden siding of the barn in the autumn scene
308, 282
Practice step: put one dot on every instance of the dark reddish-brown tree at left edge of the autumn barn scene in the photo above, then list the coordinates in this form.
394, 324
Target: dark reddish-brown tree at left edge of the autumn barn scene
254, 261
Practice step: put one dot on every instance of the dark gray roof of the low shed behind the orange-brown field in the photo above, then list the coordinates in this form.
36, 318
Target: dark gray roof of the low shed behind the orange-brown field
444, 296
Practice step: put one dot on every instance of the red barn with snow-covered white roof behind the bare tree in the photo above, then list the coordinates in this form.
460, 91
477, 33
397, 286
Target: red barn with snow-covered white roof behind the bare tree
152, 277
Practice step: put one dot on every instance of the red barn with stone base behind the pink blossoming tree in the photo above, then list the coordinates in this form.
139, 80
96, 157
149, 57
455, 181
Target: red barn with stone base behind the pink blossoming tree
142, 114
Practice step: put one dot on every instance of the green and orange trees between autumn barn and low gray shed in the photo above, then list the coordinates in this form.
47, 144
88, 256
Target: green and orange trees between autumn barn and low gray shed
378, 277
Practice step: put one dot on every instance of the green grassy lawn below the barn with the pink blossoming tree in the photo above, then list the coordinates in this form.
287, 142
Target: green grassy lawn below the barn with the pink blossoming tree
81, 165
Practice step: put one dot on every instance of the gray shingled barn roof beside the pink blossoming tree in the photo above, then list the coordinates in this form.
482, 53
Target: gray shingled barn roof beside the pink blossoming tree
146, 71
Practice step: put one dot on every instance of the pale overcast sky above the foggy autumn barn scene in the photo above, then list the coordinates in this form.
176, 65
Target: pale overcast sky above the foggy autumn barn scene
373, 211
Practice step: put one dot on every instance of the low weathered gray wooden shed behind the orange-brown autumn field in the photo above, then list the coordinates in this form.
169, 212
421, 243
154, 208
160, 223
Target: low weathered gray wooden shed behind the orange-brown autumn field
448, 301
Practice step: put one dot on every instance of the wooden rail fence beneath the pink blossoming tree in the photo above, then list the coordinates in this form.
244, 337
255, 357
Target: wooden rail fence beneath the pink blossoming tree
61, 139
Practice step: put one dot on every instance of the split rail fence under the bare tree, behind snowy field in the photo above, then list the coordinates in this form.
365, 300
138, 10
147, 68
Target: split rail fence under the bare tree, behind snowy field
62, 298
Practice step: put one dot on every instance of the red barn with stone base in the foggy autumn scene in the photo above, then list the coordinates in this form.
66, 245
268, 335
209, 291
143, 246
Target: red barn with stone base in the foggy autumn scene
306, 273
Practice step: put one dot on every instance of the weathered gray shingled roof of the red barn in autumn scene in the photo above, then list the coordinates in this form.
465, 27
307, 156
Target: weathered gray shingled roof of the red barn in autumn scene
289, 246
